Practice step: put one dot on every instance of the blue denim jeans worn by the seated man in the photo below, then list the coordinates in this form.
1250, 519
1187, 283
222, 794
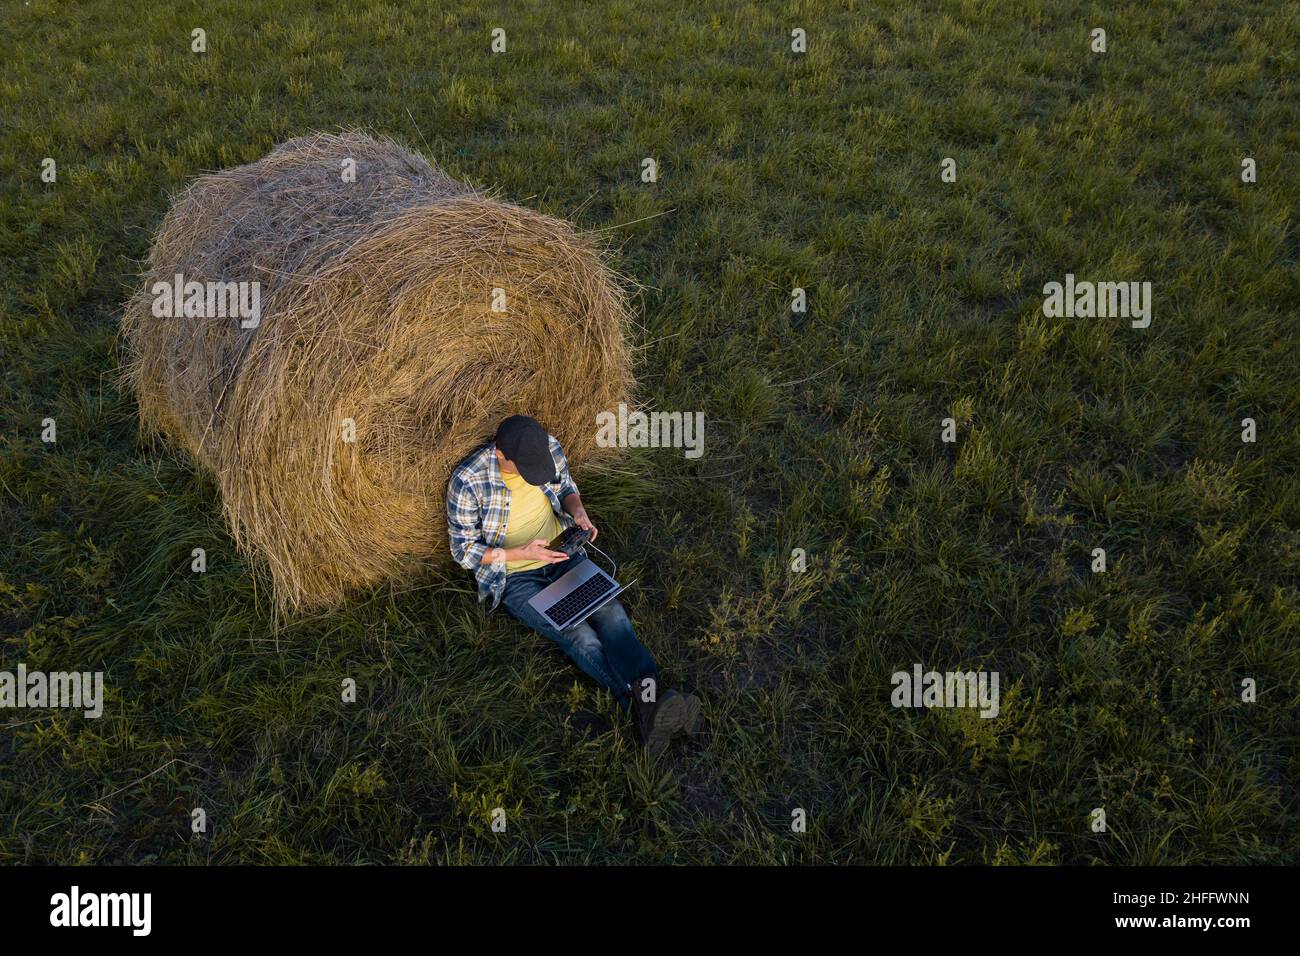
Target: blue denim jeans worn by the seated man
605, 646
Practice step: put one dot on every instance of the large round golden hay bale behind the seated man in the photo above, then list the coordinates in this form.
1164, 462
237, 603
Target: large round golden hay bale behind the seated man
376, 304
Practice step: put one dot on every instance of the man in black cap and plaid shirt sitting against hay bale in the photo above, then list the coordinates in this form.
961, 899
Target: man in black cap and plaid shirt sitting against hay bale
505, 505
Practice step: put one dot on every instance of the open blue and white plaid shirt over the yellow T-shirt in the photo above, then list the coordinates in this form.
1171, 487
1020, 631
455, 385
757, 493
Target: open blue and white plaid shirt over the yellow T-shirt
479, 512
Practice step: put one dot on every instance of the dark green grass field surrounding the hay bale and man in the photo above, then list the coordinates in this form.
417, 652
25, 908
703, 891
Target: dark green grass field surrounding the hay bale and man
1119, 691
